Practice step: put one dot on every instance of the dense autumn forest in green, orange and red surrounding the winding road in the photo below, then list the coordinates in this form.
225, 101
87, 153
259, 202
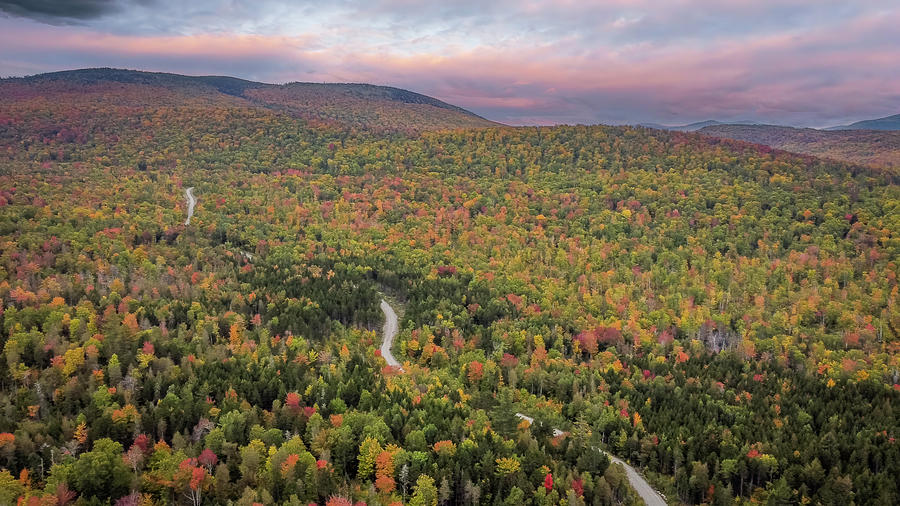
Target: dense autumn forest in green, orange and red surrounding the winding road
722, 315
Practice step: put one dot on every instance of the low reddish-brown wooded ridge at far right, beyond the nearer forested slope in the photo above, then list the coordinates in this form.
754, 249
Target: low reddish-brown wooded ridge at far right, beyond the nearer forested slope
866, 147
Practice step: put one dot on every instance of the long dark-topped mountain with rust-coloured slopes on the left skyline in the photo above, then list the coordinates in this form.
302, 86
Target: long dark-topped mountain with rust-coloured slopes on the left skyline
353, 106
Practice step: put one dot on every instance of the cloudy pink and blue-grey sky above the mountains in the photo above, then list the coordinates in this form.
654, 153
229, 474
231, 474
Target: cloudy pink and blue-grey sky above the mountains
522, 62
